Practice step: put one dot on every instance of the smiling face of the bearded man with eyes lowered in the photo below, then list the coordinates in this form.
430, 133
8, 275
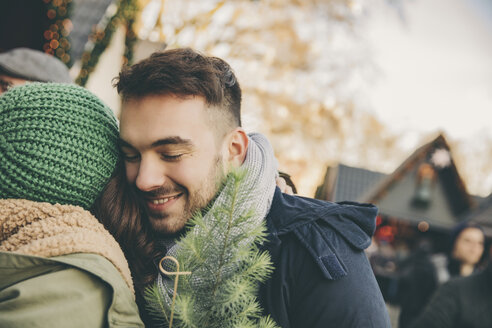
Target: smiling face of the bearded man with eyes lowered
171, 156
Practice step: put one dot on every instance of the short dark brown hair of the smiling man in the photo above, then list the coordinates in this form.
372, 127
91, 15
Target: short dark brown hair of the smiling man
183, 73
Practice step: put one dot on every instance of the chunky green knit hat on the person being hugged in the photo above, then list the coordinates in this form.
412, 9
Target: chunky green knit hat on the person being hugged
58, 144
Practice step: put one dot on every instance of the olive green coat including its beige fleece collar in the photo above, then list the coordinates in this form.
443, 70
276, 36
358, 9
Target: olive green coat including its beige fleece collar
60, 268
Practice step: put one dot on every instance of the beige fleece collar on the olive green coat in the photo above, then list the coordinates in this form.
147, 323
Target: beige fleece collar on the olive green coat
43, 229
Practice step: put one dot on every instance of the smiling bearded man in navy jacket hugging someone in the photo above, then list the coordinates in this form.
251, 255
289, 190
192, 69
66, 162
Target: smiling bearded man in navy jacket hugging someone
180, 130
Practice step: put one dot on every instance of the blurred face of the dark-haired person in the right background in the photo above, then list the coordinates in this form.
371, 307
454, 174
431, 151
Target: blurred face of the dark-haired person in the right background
469, 246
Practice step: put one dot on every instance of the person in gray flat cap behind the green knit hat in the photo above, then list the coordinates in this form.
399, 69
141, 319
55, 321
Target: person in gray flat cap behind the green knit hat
20, 65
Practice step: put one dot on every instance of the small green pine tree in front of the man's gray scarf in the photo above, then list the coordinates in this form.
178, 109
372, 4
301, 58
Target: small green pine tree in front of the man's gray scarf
226, 267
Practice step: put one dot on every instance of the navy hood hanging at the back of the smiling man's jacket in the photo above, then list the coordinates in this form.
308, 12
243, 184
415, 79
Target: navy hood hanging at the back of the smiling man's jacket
355, 222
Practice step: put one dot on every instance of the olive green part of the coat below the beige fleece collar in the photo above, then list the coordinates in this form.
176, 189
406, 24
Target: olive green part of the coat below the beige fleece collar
77, 290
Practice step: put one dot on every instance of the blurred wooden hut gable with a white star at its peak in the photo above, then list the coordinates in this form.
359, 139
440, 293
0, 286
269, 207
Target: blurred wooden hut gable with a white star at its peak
426, 187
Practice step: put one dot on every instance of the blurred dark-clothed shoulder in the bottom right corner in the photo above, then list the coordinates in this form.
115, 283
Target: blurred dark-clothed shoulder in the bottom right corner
465, 302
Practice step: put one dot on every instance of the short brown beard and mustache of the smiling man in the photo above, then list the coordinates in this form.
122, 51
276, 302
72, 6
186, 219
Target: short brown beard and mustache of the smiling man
195, 201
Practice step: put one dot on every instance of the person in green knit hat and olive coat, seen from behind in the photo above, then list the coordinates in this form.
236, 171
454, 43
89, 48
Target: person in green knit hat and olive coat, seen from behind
59, 266
